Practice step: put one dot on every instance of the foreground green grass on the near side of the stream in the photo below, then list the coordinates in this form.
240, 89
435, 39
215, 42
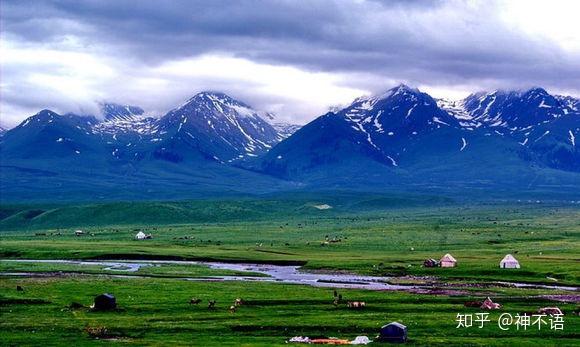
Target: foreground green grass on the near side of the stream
157, 312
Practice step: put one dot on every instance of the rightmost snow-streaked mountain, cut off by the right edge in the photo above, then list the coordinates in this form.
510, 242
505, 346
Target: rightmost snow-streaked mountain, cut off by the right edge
546, 124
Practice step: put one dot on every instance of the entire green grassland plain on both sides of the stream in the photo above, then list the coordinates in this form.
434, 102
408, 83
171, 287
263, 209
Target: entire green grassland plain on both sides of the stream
378, 236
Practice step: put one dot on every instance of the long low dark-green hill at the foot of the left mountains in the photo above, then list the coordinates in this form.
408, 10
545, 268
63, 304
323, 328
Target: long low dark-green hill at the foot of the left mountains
53, 216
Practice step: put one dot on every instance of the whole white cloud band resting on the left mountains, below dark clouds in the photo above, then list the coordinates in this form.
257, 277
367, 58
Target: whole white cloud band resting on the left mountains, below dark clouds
70, 81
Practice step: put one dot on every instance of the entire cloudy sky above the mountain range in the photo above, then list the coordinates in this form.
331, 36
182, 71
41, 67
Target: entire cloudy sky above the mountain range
294, 58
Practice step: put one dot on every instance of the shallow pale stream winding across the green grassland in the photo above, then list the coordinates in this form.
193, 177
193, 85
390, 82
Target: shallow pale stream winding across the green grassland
274, 273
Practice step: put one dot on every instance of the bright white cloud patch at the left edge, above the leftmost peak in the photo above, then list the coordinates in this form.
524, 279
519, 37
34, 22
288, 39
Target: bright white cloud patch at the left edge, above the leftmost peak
43, 77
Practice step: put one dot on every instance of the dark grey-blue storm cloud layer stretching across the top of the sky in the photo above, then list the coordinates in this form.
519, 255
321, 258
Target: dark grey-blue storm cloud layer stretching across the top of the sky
420, 42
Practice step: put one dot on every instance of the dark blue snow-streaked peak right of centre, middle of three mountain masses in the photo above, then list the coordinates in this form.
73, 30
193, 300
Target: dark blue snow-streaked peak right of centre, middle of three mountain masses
381, 127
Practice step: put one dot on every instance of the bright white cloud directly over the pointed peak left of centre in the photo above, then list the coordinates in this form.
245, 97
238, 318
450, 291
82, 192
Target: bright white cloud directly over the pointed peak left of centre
306, 94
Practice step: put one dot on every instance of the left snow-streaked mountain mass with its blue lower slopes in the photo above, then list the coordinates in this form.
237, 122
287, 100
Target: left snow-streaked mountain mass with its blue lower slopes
123, 154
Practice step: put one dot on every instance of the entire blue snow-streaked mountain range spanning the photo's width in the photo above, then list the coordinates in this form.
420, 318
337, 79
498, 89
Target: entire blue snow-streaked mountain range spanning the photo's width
401, 138
